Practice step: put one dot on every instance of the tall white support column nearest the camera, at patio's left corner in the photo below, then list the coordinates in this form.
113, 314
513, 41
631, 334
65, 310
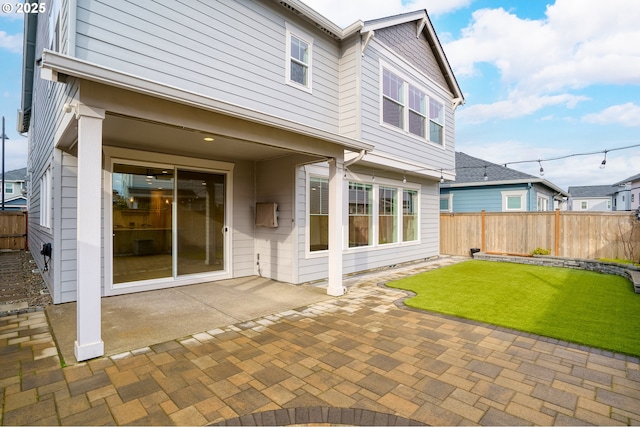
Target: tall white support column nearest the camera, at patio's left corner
89, 342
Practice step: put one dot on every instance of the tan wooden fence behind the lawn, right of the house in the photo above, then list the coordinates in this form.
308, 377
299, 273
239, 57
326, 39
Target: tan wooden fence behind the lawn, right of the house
566, 233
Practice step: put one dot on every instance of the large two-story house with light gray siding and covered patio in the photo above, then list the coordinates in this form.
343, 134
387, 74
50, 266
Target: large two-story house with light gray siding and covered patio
173, 145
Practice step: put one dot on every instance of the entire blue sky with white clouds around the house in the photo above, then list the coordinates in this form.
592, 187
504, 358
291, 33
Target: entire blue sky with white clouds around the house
541, 78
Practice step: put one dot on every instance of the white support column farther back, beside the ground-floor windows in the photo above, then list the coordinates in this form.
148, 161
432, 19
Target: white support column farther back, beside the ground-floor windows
336, 208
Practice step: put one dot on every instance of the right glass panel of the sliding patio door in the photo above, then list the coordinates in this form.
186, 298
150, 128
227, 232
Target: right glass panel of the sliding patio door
200, 222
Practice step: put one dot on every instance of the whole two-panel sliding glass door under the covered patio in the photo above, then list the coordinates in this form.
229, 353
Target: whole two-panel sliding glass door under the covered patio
167, 222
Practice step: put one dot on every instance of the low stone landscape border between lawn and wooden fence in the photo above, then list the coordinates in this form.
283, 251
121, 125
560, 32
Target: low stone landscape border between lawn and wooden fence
628, 271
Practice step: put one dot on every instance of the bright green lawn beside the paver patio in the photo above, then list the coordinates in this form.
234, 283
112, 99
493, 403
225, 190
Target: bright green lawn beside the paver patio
584, 307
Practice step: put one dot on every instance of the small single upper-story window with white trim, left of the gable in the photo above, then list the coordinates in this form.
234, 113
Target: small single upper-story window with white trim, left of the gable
299, 55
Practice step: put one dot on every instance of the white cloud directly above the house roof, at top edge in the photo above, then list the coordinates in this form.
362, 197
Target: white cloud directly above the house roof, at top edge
344, 13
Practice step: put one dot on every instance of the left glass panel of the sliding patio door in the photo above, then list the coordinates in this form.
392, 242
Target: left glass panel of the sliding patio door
142, 223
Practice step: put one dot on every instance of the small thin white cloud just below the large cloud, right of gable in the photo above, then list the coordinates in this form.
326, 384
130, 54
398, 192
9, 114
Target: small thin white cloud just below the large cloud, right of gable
517, 105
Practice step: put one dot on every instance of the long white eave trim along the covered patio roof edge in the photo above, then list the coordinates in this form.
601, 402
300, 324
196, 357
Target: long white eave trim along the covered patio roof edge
53, 63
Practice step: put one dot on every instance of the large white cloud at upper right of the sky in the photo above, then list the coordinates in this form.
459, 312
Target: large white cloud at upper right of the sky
580, 43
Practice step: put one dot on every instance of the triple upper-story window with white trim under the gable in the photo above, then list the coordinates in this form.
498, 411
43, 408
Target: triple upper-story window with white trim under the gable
407, 107
